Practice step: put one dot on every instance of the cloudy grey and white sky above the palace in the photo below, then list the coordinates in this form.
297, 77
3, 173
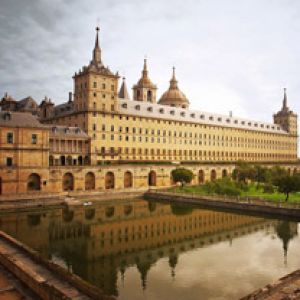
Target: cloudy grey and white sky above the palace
229, 54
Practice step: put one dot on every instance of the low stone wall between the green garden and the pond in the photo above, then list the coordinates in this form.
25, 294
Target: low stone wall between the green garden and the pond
225, 198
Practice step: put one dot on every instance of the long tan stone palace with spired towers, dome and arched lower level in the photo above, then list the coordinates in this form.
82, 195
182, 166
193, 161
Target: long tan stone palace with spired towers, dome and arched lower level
101, 139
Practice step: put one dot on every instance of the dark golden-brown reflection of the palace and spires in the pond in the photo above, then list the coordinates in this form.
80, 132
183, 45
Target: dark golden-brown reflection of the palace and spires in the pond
98, 242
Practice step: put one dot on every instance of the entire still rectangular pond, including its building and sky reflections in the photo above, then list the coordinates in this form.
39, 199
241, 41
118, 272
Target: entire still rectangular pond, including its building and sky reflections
139, 250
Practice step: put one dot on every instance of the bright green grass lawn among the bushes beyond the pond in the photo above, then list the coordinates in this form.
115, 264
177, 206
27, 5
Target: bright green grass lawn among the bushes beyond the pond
252, 192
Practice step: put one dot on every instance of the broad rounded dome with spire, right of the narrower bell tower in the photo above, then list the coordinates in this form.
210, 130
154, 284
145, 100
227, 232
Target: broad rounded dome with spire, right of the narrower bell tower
174, 96
